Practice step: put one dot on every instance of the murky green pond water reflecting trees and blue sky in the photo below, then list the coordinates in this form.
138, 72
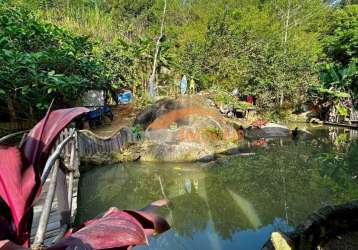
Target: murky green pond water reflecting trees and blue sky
234, 202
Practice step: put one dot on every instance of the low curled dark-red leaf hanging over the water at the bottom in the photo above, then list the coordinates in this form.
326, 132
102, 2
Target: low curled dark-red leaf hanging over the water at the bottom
115, 229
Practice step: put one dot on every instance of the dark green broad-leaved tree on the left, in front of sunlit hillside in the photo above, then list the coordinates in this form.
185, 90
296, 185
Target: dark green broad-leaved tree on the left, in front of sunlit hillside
40, 61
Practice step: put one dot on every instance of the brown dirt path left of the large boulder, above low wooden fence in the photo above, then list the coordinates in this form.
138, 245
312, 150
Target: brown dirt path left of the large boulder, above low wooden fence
124, 115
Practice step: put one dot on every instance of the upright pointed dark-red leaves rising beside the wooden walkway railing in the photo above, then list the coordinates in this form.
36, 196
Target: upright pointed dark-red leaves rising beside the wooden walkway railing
20, 170
